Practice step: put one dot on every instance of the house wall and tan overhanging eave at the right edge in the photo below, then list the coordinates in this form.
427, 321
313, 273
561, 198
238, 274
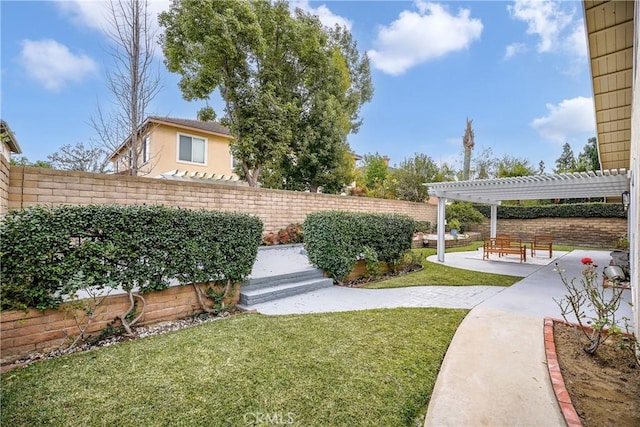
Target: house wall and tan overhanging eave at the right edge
613, 34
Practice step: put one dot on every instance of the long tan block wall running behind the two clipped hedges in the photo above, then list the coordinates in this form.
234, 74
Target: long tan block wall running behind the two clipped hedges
276, 208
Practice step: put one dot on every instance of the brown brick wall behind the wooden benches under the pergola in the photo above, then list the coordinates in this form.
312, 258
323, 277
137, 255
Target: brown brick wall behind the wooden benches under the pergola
595, 232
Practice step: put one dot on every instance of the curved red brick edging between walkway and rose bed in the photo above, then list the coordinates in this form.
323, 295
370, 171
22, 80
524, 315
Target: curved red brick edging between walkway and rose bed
566, 406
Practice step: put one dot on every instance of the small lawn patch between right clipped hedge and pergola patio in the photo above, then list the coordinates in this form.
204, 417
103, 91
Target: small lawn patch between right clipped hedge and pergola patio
438, 274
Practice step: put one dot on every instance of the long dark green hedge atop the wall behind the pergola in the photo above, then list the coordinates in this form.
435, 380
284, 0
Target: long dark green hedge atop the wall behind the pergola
574, 210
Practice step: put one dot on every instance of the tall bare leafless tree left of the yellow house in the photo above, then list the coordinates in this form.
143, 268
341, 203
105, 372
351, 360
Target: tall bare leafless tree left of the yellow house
132, 80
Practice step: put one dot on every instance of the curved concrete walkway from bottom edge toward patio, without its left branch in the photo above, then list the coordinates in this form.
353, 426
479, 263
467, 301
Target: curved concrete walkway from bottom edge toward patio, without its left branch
494, 372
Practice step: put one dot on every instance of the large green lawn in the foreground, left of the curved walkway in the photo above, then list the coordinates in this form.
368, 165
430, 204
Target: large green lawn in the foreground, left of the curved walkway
374, 367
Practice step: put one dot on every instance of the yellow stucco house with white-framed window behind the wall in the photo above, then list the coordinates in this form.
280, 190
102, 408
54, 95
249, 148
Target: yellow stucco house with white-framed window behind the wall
172, 144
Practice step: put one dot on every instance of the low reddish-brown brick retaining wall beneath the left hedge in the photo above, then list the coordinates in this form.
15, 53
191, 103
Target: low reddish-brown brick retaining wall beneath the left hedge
23, 332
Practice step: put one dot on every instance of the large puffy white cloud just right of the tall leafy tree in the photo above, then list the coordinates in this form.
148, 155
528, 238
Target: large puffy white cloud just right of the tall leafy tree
417, 37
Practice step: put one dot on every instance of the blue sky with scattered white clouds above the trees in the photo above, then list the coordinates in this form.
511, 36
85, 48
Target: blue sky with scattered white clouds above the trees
518, 69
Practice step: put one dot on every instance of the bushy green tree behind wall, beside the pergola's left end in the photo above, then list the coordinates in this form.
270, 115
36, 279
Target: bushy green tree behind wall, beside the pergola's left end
411, 176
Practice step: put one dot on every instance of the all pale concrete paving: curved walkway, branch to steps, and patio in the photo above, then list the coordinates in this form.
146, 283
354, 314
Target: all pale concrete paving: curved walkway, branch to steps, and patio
494, 372
